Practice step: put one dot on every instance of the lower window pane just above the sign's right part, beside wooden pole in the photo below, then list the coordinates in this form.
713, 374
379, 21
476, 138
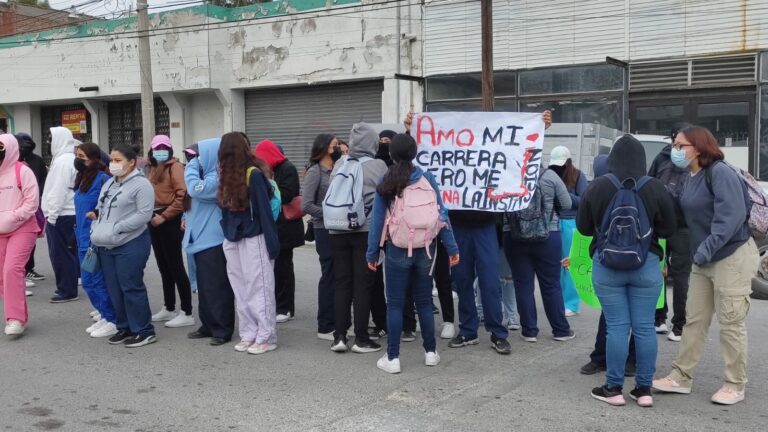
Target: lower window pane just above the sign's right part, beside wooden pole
605, 110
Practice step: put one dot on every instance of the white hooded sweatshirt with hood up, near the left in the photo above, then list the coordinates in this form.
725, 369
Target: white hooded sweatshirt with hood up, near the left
59, 195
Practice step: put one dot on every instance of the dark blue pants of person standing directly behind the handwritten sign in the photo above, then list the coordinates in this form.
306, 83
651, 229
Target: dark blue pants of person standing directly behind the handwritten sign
479, 250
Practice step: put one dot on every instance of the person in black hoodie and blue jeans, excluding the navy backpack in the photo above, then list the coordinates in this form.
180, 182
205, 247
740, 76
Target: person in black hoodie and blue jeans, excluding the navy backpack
628, 297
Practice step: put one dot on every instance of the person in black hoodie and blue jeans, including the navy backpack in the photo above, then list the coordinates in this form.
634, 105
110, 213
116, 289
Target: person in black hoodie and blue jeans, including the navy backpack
627, 291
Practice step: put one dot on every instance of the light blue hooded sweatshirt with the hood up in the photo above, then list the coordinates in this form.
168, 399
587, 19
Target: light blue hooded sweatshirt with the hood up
203, 220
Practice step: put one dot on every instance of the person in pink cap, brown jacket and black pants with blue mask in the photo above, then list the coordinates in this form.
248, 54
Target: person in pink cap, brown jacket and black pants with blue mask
166, 174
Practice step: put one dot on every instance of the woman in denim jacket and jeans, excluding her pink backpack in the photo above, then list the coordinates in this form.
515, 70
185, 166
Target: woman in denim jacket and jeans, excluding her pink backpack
407, 269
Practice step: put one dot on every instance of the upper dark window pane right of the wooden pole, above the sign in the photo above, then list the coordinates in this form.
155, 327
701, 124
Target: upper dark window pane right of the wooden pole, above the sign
571, 80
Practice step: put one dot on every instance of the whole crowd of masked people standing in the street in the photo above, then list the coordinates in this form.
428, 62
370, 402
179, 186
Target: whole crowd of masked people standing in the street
236, 213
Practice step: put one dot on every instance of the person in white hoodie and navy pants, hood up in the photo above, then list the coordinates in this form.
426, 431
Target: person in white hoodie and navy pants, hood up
58, 204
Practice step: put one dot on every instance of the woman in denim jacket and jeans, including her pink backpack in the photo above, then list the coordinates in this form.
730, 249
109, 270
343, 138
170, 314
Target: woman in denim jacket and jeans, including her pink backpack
408, 215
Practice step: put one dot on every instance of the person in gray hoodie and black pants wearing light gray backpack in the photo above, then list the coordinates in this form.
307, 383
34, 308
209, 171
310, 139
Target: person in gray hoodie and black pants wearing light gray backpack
354, 280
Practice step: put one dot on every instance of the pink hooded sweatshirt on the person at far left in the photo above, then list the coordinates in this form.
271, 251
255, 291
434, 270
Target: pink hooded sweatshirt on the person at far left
17, 206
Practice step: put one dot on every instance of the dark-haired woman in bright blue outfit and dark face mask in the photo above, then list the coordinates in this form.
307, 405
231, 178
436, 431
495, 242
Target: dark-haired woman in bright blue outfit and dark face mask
88, 183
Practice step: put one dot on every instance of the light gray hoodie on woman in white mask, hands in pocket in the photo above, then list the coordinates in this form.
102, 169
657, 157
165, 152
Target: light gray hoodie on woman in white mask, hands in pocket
125, 209
